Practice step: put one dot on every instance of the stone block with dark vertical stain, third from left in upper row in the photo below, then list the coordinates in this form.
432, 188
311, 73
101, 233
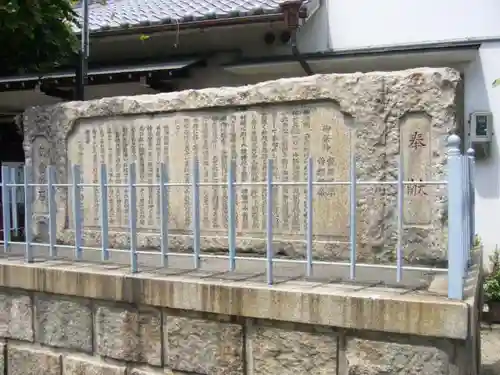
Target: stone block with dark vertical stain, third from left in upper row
125, 333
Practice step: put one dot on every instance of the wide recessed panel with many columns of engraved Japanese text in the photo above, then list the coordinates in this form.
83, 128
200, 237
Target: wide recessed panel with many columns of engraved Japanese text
287, 133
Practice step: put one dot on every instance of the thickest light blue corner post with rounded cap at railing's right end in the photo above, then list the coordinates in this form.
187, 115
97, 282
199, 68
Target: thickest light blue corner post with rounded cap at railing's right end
456, 267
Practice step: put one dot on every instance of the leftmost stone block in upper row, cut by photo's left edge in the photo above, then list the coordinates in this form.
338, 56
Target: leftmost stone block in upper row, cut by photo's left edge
16, 316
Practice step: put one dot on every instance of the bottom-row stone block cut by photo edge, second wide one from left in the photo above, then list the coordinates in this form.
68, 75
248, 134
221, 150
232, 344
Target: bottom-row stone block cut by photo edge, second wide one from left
86, 365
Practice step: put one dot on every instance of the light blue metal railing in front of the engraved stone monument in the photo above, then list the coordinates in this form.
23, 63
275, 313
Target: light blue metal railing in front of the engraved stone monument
460, 214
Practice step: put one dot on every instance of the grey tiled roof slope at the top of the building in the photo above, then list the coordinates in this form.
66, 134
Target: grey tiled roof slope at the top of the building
118, 14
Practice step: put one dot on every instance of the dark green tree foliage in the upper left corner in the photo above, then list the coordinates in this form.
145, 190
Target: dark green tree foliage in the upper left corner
36, 35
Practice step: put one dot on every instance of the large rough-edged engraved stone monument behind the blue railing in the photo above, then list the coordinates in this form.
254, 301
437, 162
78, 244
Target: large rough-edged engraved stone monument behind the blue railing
391, 112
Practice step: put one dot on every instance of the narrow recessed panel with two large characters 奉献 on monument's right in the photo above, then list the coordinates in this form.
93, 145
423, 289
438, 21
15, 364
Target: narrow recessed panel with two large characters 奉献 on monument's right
416, 151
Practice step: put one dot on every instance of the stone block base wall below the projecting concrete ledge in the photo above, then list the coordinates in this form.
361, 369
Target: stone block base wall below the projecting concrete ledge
52, 334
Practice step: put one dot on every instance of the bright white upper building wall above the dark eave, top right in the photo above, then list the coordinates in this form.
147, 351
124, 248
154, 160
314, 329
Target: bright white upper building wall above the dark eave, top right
363, 23
